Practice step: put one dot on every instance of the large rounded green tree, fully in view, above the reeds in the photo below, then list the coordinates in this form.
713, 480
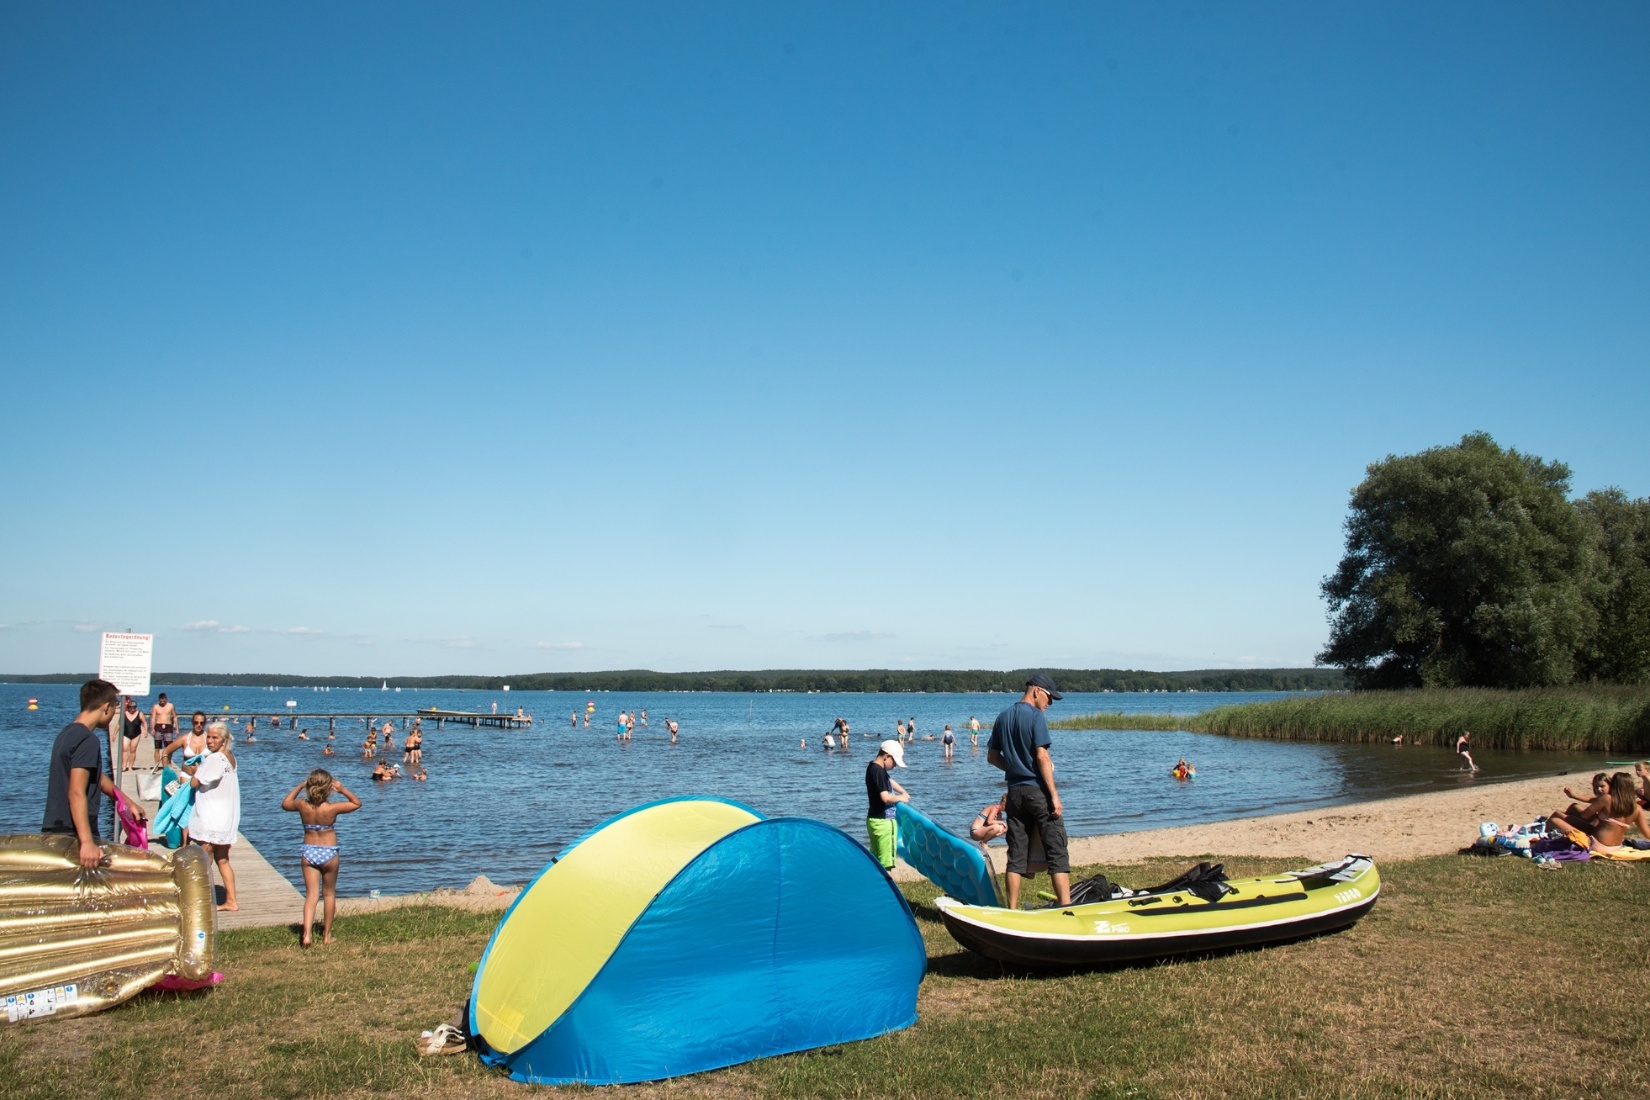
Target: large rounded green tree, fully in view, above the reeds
1464, 565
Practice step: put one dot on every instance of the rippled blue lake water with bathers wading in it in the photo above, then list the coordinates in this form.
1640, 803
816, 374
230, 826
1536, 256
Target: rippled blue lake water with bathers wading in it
504, 802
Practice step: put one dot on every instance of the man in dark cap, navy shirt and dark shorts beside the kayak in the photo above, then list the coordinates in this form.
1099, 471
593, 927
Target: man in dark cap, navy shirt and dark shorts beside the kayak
1021, 750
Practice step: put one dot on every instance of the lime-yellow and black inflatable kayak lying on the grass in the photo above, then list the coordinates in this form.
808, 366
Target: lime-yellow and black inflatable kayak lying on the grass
1207, 916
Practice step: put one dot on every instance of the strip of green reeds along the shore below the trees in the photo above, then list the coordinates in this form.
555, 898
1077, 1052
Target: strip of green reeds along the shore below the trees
1593, 720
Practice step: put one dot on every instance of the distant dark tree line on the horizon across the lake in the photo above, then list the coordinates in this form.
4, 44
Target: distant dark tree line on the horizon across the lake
786, 680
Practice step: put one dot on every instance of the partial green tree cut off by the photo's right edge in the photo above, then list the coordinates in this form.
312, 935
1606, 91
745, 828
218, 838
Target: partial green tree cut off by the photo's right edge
1619, 649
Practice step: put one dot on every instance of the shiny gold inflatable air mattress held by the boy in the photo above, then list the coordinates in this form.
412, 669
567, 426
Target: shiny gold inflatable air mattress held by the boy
75, 941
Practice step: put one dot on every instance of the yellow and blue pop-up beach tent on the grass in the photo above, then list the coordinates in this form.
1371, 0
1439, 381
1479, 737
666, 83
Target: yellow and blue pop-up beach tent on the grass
692, 934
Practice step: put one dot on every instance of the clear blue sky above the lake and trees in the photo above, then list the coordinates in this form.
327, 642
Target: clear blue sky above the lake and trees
418, 339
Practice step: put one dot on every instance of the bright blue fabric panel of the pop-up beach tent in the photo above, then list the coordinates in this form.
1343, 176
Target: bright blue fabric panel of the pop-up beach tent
742, 957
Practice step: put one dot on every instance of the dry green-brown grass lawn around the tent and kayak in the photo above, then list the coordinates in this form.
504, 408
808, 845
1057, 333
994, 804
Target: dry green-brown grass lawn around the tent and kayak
1471, 979
